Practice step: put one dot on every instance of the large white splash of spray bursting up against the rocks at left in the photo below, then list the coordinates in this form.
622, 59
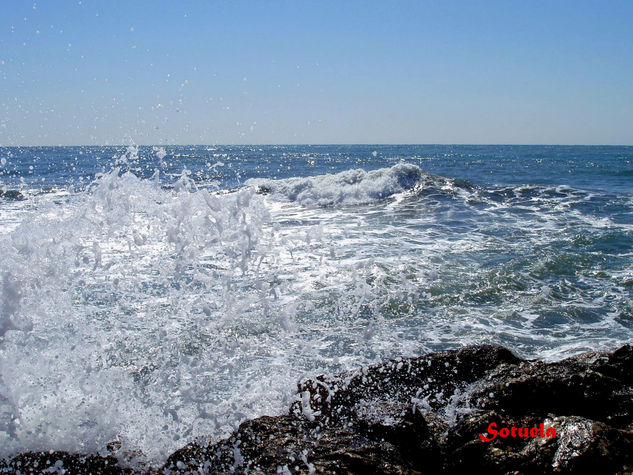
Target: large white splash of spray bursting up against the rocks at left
114, 294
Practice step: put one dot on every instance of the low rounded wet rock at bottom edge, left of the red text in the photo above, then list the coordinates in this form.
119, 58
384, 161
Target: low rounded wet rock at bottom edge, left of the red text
289, 445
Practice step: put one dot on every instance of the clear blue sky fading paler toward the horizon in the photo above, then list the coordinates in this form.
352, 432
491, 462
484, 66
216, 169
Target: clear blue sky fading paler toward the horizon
96, 72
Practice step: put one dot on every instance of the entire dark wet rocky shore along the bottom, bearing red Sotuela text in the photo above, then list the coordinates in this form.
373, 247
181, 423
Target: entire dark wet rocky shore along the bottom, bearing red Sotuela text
479, 408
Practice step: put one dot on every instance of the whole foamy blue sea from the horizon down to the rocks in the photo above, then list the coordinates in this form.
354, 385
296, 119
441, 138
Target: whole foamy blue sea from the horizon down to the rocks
160, 295
